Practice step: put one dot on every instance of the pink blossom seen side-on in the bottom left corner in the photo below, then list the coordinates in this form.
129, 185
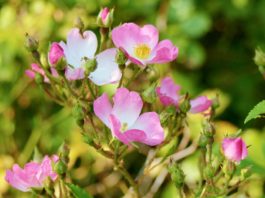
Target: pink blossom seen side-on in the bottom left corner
33, 175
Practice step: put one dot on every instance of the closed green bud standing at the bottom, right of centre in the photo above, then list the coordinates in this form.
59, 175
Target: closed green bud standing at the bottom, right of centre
177, 175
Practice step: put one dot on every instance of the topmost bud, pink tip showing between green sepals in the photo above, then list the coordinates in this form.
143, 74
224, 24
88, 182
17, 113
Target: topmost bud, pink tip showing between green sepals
105, 17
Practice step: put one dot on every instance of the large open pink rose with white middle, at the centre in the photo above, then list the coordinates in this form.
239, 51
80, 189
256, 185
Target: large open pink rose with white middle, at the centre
125, 121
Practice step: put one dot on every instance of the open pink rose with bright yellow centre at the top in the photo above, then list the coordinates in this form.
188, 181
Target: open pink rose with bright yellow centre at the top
141, 46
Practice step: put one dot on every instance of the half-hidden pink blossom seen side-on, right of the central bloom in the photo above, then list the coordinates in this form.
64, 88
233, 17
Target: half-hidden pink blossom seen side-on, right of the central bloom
168, 94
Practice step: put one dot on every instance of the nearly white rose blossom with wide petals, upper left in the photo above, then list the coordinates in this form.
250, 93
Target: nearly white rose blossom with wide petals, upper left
81, 47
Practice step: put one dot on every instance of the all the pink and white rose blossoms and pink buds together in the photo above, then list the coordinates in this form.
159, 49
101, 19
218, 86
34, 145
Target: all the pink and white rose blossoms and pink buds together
79, 59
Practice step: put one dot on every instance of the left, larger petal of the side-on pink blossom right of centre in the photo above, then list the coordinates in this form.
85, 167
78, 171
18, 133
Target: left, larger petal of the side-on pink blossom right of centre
168, 92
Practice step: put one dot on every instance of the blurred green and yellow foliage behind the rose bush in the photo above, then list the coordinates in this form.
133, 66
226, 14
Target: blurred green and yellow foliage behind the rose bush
216, 41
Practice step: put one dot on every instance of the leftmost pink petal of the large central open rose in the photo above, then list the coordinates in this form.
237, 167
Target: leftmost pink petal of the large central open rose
103, 108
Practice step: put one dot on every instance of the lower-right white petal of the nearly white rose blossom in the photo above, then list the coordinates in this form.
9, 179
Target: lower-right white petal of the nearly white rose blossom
107, 70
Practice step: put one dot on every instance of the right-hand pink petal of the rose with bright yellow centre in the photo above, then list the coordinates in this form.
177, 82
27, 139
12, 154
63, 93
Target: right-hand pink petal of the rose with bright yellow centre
164, 52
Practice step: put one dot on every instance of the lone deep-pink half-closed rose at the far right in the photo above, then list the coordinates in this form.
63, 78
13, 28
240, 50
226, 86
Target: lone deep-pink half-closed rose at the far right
234, 149
